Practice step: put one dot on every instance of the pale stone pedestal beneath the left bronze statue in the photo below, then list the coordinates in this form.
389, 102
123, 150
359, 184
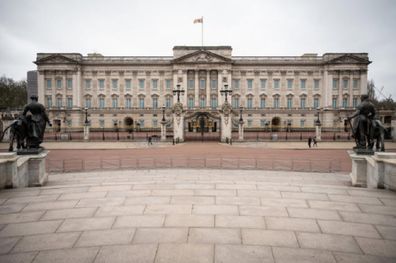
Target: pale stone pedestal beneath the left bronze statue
23, 171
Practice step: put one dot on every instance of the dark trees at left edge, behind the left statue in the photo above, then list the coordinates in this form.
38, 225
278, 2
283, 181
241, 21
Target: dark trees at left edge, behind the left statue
13, 94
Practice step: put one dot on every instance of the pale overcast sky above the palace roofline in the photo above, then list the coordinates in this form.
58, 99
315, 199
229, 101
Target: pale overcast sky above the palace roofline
148, 27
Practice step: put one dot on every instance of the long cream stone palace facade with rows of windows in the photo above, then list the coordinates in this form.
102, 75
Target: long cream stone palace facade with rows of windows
285, 91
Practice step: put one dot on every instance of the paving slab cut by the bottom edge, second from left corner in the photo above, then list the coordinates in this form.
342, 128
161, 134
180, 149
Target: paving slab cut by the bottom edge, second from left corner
74, 255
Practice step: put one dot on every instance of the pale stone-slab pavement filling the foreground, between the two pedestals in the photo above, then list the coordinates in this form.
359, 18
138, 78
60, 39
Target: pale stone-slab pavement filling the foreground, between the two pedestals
197, 216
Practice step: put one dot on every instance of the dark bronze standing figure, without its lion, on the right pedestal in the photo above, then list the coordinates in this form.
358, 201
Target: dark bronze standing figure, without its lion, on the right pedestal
364, 126
